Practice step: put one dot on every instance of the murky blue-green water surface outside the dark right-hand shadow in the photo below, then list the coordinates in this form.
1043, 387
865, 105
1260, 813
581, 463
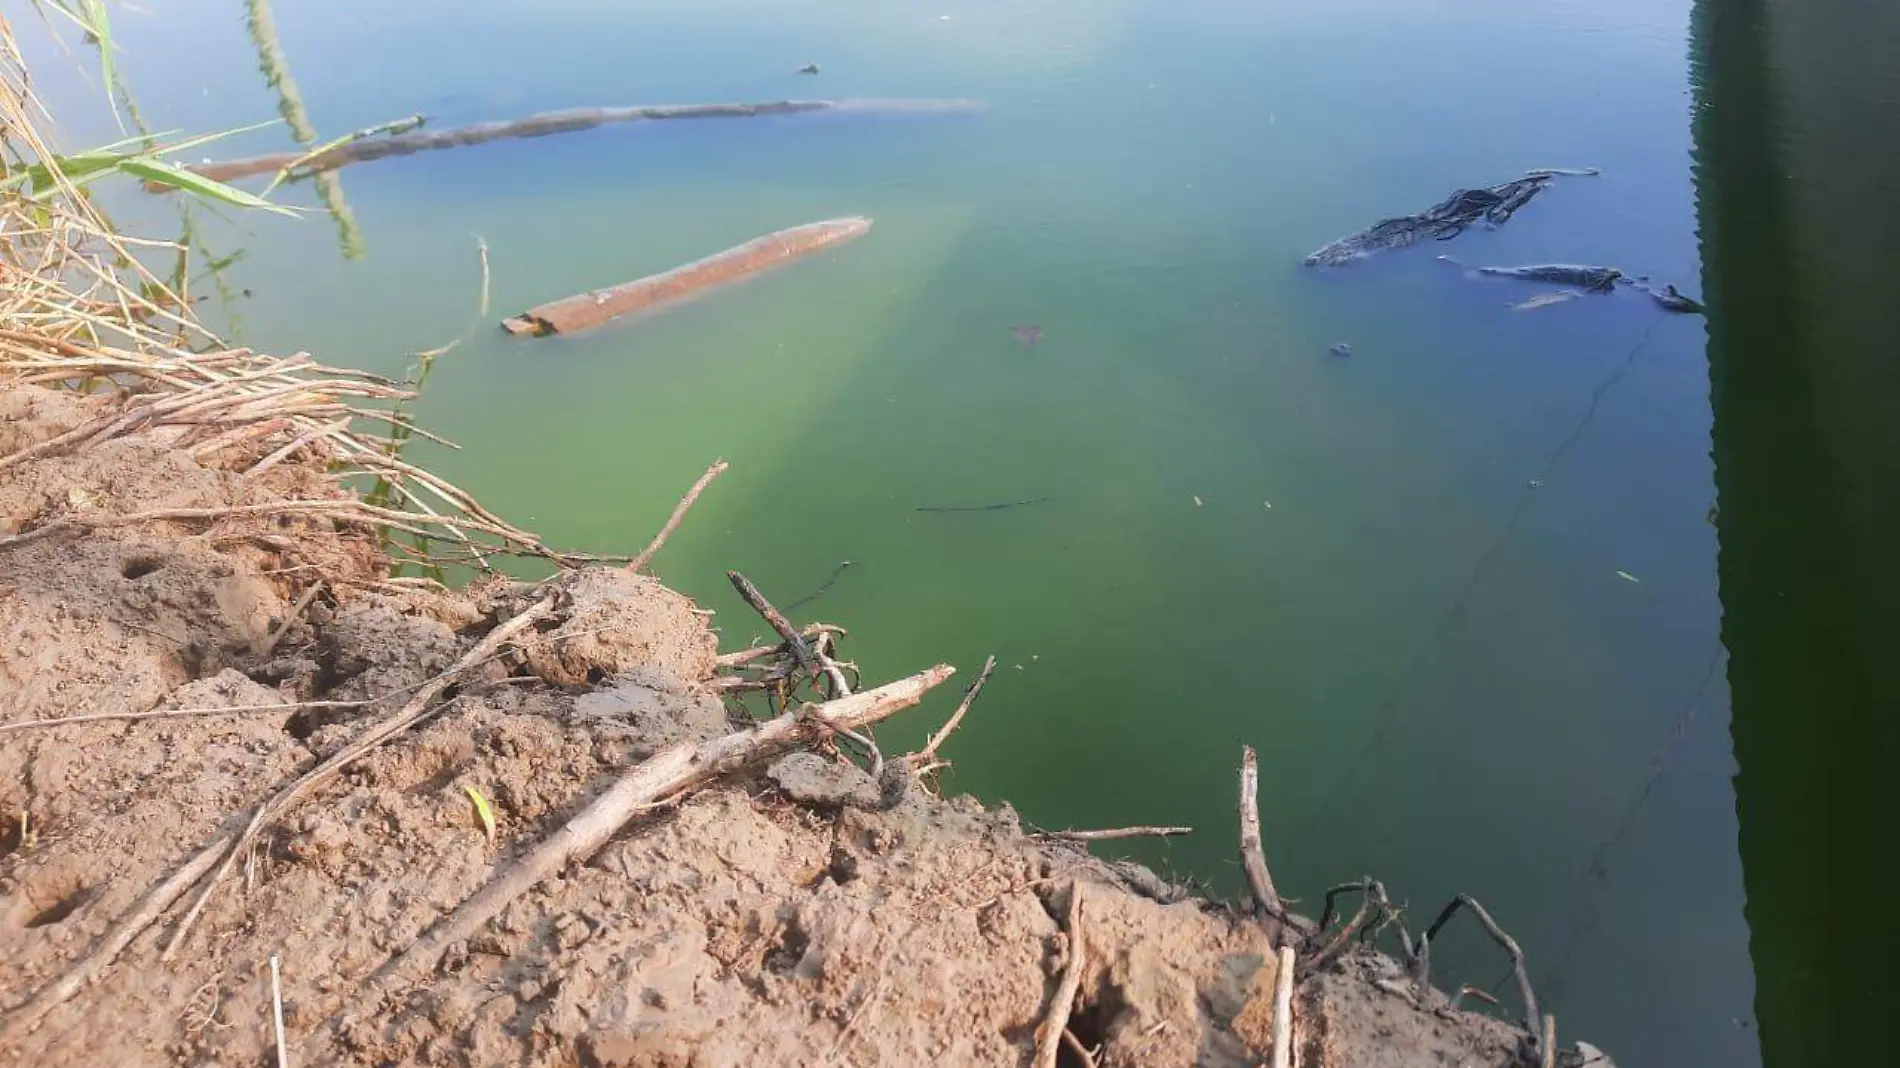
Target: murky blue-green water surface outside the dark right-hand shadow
1460, 588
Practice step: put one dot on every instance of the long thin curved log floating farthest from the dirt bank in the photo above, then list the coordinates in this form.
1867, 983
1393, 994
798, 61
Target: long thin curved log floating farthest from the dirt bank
542, 124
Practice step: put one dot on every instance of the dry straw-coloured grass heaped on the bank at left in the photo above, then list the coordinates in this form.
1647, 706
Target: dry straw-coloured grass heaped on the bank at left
81, 309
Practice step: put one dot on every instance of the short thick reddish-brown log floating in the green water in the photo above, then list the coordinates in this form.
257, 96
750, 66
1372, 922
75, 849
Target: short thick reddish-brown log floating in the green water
660, 290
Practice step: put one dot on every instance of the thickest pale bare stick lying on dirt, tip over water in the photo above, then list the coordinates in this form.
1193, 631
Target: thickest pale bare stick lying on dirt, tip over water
664, 774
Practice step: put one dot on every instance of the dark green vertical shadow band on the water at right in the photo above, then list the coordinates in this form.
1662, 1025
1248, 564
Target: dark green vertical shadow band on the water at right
1798, 187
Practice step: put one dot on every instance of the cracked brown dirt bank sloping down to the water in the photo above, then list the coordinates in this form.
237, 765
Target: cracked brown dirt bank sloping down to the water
740, 928
